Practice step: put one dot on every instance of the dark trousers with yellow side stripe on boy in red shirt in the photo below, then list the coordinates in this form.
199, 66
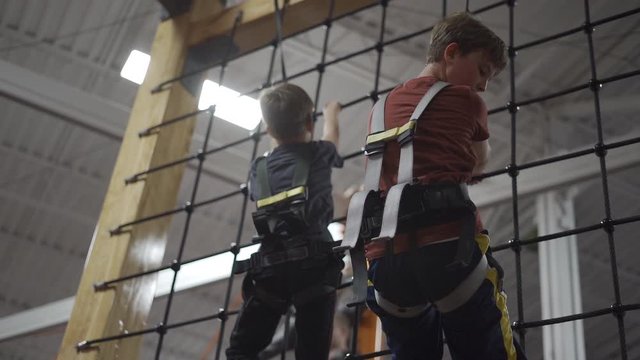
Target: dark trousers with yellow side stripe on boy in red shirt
478, 330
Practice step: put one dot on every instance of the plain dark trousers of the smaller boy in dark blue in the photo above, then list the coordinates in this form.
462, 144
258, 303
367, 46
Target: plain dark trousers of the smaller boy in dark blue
268, 295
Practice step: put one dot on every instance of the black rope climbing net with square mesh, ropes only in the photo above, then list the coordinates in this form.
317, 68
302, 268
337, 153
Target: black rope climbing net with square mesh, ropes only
516, 244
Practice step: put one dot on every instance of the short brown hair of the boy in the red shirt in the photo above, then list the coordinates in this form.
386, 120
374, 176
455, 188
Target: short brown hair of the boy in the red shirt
470, 34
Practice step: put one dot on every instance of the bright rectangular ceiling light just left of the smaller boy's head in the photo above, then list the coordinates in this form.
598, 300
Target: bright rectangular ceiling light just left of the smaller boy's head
243, 111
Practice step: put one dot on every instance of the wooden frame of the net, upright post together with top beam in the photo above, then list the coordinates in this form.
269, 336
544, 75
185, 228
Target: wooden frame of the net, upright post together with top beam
98, 314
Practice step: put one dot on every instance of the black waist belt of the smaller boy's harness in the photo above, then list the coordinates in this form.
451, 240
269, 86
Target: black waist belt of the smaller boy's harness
260, 260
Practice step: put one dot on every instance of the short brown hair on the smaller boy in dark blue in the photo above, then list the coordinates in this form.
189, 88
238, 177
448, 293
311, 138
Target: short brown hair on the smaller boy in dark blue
285, 109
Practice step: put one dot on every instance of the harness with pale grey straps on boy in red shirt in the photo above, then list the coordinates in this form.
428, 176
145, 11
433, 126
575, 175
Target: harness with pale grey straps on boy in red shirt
407, 206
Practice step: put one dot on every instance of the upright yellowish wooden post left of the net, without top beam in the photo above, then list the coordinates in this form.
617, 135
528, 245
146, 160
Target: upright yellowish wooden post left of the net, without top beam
97, 314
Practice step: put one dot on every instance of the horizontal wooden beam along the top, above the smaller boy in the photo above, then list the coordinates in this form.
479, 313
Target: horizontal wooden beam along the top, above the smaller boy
258, 26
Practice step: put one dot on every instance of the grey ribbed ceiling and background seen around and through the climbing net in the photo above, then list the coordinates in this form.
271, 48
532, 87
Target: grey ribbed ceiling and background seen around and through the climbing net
64, 107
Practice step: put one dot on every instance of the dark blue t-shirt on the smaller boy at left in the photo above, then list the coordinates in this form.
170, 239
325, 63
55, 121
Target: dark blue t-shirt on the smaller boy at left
281, 166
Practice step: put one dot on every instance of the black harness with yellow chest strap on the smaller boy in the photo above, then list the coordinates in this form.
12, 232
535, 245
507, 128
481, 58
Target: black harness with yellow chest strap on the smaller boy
281, 220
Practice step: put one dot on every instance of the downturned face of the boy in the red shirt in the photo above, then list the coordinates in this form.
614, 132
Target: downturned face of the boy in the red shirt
473, 69
